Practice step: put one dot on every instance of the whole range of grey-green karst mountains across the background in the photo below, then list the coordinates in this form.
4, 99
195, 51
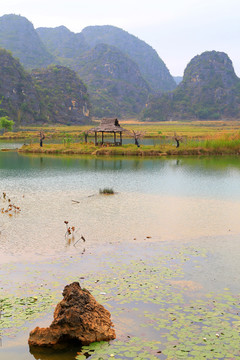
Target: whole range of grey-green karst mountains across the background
125, 76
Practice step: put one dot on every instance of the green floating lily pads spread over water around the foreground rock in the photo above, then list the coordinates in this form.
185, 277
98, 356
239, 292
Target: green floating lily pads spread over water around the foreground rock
162, 314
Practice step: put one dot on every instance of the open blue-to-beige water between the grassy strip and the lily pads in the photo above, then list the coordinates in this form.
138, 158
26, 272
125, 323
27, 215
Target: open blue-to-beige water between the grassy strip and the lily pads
168, 199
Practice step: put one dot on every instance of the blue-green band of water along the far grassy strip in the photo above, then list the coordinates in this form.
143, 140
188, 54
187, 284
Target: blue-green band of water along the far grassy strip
213, 178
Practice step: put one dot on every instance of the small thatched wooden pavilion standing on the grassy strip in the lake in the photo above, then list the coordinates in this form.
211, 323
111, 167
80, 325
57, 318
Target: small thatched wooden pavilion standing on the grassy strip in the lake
108, 125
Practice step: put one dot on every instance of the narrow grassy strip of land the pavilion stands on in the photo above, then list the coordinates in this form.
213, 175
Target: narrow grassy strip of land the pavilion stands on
216, 145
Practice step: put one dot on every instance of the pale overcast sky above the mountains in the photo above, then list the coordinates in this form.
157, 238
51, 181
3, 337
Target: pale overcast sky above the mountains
177, 29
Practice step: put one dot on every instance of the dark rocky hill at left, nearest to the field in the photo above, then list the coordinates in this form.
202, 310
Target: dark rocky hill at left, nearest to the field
53, 95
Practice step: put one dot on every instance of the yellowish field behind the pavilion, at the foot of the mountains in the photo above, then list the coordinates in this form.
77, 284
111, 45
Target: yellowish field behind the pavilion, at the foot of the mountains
187, 129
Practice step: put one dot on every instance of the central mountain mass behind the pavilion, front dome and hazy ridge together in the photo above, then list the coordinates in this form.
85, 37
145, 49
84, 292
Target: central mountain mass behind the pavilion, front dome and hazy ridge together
113, 93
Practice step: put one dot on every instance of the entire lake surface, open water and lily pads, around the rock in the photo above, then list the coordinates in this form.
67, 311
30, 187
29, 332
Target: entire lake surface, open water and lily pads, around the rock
163, 250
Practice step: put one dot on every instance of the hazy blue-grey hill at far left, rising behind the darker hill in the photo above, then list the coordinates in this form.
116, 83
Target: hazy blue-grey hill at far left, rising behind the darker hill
18, 35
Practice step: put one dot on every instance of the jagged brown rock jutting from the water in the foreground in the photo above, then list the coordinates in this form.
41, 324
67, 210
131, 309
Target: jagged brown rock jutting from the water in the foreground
78, 318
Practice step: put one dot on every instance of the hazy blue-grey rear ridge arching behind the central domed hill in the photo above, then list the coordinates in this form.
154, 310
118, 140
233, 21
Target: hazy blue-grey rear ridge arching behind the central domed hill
63, 43
